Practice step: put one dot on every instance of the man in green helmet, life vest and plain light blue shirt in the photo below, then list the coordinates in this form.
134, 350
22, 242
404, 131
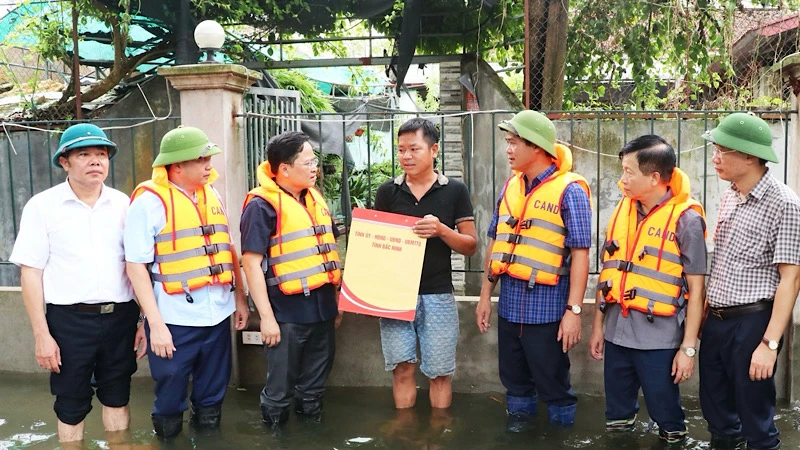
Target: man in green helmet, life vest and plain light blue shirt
185, 271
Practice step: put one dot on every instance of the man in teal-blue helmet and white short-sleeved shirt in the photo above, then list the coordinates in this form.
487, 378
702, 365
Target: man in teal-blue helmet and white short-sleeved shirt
70, 253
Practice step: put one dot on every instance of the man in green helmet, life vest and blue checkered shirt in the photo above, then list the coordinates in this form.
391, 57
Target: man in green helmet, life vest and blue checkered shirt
541, 234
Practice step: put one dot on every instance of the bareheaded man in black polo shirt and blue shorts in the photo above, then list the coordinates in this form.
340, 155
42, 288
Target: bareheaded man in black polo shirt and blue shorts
448, 223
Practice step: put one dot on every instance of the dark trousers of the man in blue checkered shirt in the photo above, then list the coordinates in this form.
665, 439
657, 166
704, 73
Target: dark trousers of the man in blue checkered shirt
531, 361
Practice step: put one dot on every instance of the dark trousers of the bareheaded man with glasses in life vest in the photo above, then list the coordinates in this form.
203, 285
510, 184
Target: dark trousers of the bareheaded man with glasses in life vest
299, 365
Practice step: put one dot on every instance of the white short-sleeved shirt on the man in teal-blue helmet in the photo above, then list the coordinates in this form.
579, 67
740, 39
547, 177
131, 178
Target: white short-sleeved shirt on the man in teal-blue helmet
78, 247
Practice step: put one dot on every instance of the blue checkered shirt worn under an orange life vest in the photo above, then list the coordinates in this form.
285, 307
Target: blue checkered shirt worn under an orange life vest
543, 303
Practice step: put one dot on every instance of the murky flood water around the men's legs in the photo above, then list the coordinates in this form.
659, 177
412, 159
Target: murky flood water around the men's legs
360, 418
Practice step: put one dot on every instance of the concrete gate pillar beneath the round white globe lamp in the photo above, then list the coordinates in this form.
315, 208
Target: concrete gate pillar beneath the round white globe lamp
212, 99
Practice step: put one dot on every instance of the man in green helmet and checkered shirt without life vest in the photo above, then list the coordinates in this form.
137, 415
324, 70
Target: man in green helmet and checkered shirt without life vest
754, 281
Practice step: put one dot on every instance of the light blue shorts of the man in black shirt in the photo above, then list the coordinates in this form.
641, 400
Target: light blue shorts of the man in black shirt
436, 325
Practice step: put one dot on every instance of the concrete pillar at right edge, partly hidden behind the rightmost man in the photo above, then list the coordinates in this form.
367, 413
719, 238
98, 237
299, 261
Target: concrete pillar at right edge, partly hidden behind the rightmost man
789, 70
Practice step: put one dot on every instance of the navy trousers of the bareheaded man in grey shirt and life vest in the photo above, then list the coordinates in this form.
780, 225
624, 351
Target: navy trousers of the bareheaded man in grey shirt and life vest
628, 369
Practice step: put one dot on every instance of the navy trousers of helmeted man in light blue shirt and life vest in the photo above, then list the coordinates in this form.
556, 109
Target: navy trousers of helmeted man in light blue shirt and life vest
204, 354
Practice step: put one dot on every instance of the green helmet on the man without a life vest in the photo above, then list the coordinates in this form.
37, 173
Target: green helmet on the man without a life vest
745, 133
